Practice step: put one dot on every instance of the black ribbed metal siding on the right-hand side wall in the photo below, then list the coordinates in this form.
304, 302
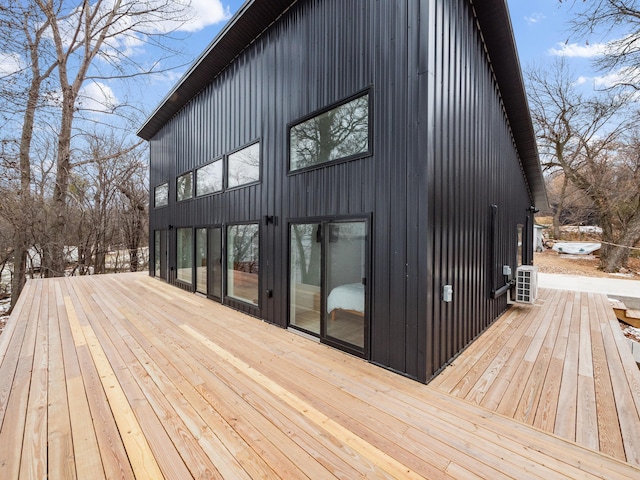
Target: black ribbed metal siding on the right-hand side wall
471, 163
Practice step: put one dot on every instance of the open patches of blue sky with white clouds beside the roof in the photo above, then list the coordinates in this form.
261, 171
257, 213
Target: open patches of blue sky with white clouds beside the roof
540, 28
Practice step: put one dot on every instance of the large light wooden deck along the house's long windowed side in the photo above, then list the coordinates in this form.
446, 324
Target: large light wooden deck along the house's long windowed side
123, 376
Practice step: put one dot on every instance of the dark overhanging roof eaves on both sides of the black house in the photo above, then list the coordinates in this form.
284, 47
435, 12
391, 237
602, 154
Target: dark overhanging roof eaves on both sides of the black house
255, 16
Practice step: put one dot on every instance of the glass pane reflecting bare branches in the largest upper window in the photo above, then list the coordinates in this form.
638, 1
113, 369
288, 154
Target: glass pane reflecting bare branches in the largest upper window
338, 133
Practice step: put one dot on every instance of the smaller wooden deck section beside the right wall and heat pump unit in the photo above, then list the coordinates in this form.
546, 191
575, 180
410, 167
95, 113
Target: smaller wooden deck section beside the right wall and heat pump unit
561, 365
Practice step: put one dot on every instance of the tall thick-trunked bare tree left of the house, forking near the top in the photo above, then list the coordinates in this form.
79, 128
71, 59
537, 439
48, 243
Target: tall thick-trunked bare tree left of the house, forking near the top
81, 35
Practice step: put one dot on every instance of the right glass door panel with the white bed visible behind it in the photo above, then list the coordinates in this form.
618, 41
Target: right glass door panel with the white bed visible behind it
345, 282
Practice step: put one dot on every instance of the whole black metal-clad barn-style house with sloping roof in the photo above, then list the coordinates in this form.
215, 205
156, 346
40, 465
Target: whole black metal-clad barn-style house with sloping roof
363, 172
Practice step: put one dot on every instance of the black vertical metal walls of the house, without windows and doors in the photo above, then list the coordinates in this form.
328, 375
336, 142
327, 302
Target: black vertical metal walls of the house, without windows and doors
444, 188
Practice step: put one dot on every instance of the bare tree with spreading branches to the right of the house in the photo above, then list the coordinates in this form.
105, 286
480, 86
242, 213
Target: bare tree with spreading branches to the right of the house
585, 137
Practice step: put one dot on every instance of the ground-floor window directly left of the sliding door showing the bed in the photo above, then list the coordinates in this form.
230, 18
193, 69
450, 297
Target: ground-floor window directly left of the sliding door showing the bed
243, 253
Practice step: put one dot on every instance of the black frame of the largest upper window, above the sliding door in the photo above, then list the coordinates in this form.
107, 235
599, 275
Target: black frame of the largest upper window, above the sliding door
365, 92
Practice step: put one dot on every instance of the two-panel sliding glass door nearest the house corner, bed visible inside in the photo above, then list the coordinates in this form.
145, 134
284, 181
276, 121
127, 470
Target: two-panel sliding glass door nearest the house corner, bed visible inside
327, 279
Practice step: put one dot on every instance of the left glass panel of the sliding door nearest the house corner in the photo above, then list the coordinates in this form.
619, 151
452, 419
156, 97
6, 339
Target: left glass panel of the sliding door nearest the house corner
305, 276
